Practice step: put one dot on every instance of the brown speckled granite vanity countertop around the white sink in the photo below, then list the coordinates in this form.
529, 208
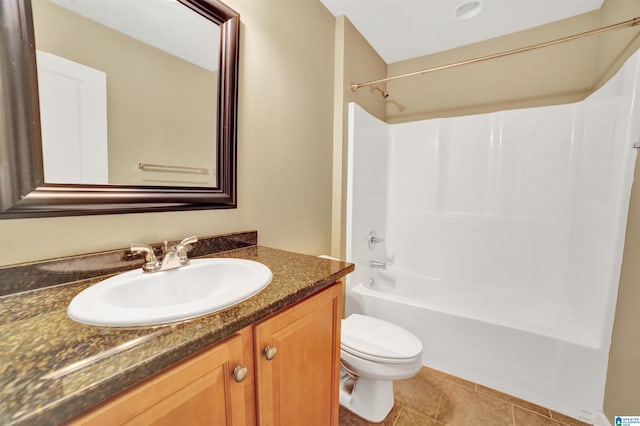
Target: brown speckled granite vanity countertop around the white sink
52, 368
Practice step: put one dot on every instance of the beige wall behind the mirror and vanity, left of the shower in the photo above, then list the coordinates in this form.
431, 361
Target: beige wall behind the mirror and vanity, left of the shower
284, 150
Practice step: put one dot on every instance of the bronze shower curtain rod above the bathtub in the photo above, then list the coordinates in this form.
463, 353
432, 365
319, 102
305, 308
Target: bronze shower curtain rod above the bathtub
620, 25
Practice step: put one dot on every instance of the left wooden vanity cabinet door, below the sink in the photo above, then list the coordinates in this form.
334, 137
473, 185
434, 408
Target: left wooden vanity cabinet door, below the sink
199, 391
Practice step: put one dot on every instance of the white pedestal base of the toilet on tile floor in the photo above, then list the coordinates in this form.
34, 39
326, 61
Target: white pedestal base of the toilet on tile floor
370, 399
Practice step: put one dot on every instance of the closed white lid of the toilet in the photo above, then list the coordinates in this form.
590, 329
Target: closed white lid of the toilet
377, 338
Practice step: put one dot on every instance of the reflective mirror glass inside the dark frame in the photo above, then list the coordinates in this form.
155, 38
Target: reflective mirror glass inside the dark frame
160, 61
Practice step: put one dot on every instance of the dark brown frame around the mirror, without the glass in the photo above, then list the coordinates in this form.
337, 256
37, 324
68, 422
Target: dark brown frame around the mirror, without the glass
23, 192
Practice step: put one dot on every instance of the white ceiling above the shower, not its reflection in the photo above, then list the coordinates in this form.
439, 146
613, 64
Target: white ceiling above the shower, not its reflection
404, 29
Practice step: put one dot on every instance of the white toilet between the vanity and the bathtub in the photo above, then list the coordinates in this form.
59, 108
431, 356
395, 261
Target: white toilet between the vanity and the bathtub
373, 353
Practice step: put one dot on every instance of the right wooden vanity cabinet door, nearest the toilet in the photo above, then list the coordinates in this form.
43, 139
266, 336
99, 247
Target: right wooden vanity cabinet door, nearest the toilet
300, 384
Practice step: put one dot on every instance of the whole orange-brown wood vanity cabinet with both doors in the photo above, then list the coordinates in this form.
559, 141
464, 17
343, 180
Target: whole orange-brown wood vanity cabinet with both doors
295, 384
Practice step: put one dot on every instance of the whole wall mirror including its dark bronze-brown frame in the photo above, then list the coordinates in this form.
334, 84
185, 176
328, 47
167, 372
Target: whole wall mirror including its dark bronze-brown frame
168, 146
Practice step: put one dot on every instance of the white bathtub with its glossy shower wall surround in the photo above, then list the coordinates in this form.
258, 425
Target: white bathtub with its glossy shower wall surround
504, 238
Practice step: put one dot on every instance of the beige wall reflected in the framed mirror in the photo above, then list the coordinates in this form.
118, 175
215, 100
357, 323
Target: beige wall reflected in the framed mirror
147, 94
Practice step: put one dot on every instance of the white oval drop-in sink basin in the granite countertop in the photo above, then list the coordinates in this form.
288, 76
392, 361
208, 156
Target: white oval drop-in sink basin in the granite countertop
149, 298
